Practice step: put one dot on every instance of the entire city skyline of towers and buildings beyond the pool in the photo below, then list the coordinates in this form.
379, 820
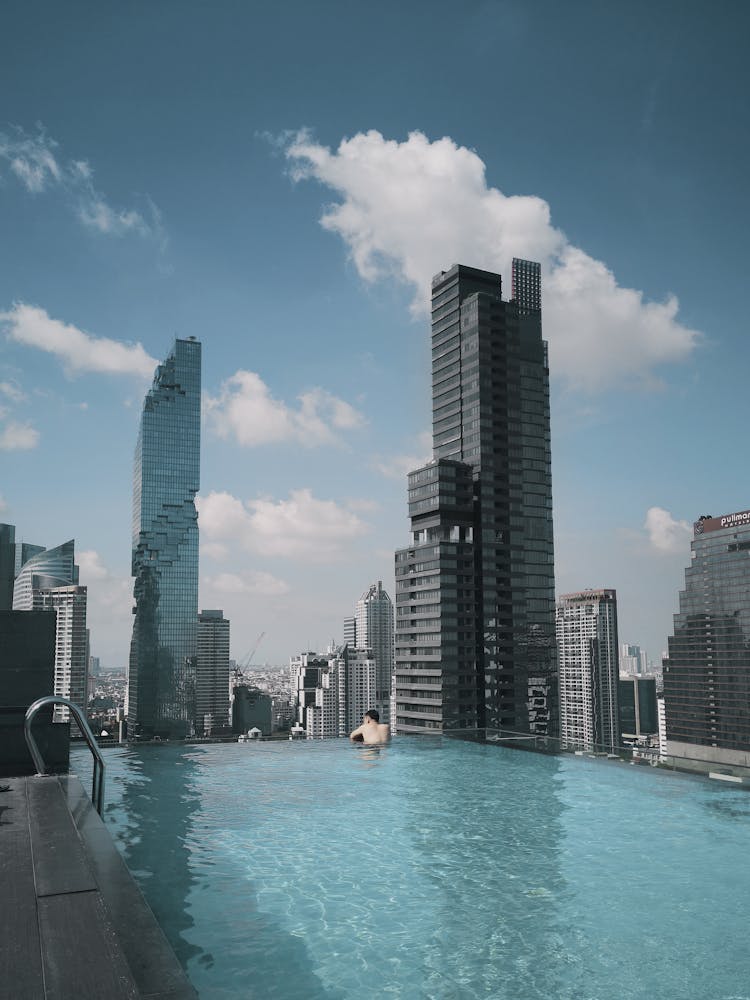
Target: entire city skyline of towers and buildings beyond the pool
474, 643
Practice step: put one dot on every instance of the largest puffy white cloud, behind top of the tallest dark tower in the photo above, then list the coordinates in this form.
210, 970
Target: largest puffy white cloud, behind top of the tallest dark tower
410, 209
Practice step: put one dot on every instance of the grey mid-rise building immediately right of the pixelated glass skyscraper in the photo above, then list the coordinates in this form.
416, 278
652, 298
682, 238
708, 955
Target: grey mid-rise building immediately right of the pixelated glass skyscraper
212, 673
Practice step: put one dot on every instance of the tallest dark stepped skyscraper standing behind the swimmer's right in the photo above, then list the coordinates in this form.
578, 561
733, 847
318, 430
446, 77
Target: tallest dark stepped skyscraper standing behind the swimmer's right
475, 603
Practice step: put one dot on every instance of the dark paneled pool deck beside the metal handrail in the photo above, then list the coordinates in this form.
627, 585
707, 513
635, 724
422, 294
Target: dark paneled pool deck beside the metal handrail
73, 923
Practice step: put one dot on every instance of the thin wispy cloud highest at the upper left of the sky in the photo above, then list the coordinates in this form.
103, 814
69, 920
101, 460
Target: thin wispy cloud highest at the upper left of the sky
33, 160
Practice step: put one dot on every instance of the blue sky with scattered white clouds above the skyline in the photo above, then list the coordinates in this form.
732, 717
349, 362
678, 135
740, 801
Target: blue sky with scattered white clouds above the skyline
281, 182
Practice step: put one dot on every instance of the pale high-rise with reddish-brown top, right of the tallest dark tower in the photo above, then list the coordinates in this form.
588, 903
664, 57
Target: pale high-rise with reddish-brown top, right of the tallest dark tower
586, 626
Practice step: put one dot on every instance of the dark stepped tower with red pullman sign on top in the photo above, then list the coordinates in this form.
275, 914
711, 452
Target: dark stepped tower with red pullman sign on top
707, 673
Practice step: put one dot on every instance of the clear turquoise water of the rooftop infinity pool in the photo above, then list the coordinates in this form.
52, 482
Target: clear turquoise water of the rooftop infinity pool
435, 869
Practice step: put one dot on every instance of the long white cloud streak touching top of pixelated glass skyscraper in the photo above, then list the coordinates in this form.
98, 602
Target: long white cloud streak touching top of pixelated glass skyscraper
79, 351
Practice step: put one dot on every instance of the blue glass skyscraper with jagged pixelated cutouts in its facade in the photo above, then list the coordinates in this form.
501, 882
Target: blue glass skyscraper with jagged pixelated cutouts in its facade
163, 650
